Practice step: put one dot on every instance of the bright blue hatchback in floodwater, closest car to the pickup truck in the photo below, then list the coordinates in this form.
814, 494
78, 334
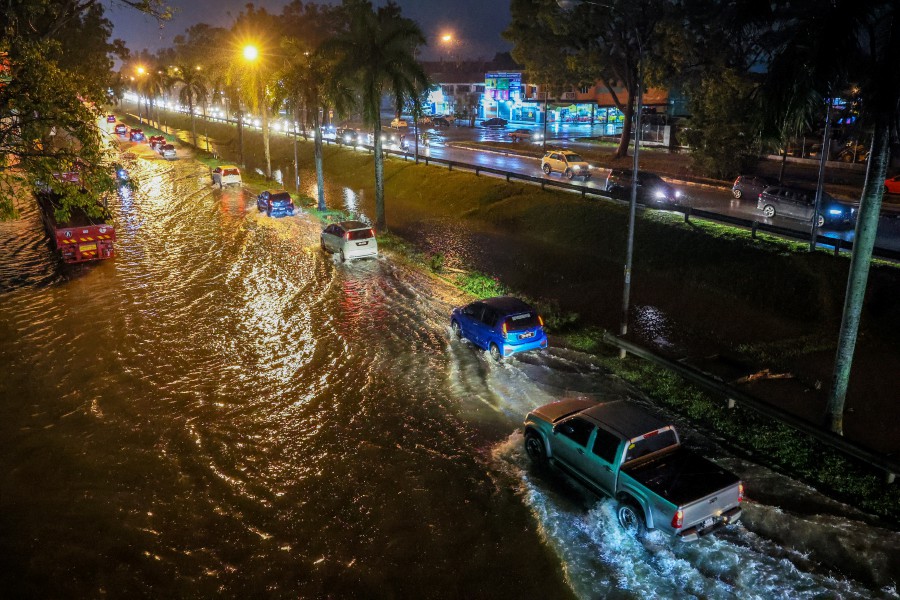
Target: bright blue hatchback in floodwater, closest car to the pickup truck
502, 325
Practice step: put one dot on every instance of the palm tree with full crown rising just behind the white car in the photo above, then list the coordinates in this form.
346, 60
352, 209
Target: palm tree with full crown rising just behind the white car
376, 55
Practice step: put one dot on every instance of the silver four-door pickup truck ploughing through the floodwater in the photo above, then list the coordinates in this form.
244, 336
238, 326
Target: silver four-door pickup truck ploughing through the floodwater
617, 450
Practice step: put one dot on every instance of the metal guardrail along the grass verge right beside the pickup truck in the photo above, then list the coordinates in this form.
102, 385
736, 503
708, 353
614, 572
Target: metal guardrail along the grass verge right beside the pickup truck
712, 384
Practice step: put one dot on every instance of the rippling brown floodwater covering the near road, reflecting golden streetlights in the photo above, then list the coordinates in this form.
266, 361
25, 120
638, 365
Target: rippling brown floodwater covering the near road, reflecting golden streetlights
223, 410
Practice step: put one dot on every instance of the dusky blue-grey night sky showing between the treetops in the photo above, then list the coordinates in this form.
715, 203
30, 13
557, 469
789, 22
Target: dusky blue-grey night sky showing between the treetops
475, 23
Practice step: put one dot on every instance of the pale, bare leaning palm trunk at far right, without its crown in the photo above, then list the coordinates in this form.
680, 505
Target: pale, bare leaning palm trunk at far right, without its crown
863, 242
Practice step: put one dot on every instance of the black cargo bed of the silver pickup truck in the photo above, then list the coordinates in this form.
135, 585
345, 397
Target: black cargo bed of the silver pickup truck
680, 476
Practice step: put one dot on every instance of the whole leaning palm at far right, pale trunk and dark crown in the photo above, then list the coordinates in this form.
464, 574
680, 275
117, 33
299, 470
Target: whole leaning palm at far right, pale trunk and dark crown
828, 46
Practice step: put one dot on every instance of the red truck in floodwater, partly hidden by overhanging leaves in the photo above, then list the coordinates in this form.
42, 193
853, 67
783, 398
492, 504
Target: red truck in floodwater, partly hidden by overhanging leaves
82, 238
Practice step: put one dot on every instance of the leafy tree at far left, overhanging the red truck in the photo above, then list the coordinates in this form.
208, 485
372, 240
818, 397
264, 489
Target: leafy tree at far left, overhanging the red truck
59, 58
